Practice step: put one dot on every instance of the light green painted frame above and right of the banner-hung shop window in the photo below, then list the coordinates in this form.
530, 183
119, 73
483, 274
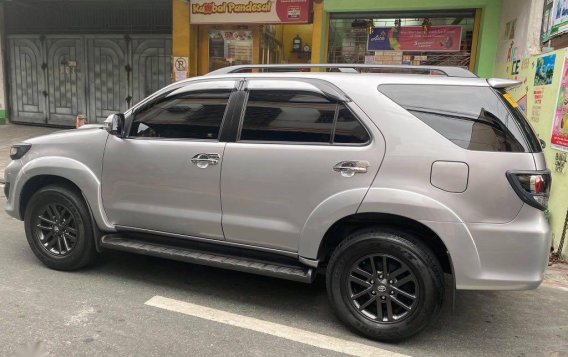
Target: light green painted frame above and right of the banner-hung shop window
489, 29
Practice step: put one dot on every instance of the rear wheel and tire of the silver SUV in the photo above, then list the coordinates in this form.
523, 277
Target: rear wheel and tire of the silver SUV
411, 268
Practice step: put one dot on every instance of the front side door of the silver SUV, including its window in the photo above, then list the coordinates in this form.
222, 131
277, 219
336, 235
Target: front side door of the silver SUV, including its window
164, 176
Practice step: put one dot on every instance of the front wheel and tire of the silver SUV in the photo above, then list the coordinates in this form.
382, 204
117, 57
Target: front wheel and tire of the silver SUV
61, 239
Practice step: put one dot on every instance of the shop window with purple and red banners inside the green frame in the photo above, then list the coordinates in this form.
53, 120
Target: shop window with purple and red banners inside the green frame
444, 38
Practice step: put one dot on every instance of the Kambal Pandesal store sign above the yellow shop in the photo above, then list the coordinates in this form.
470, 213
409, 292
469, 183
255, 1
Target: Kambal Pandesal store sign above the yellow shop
249, 11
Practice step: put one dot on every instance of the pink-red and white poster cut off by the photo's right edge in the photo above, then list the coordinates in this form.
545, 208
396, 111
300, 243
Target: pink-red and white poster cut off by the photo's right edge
559, 136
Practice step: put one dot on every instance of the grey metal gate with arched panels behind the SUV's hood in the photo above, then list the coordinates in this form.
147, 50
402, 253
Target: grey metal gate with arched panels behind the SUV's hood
54, 78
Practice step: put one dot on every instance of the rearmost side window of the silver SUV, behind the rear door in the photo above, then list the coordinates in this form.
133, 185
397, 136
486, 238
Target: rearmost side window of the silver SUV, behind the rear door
474, 118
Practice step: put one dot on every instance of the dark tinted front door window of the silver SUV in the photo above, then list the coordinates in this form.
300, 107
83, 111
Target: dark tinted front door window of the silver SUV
194, 115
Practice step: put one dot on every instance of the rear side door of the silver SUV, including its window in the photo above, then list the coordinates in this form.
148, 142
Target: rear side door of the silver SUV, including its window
295, 149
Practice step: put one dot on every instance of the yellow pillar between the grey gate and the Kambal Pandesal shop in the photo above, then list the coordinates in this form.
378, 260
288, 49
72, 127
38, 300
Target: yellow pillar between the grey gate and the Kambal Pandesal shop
184, 40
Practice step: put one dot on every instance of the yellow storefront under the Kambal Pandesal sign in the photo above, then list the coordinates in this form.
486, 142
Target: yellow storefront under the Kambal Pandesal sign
211, 34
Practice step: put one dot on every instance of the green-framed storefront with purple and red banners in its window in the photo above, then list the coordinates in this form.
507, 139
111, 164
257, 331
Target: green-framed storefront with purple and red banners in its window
434, 32
